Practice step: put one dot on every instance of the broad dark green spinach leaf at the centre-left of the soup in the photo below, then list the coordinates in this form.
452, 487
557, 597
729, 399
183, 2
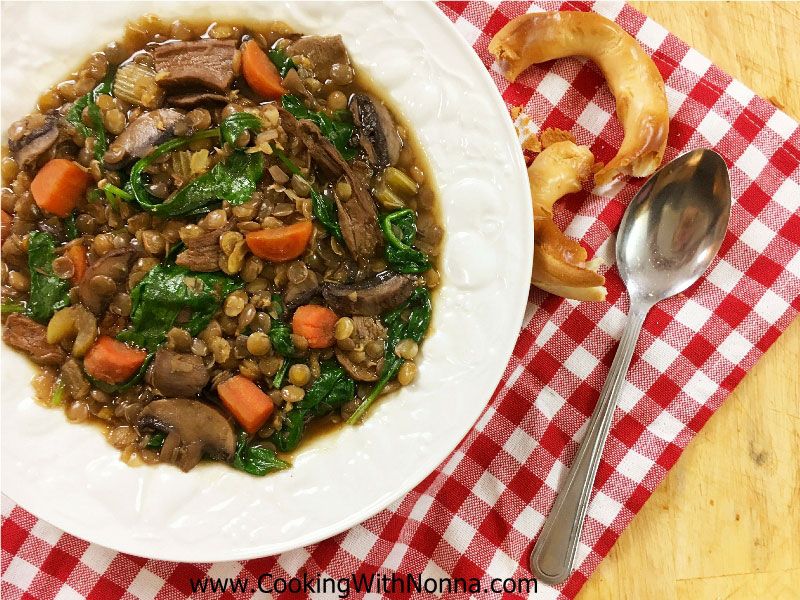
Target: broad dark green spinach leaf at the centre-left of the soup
167, 291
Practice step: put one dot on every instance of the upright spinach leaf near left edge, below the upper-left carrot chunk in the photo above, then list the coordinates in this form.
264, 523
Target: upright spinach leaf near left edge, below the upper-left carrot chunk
48, 292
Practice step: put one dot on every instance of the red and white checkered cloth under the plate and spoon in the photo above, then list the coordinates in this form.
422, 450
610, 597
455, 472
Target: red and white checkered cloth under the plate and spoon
477, 514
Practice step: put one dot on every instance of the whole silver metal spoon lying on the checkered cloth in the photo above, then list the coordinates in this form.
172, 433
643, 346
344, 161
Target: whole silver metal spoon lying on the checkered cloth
671, 231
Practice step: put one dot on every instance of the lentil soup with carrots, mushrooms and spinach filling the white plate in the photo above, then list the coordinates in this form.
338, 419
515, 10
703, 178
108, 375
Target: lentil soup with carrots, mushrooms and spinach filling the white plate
216, 238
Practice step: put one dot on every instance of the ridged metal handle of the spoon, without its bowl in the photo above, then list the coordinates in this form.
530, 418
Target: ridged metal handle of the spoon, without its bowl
554, 553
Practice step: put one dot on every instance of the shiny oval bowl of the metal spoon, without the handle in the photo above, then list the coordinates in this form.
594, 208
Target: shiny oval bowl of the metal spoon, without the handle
674, 226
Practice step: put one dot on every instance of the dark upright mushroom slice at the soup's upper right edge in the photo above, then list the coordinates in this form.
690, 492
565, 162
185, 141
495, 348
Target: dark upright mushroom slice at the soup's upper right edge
377, 131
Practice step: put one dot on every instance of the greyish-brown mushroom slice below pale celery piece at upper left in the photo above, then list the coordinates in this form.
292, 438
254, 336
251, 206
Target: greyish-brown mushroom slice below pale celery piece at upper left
142, 135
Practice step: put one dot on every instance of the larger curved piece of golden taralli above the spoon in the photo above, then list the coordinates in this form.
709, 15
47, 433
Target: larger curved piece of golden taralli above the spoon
631, 75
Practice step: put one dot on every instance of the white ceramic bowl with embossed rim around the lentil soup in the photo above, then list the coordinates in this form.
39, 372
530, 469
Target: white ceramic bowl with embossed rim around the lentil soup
70, 476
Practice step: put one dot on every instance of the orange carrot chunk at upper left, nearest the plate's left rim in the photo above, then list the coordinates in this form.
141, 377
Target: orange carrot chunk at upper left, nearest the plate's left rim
59, 186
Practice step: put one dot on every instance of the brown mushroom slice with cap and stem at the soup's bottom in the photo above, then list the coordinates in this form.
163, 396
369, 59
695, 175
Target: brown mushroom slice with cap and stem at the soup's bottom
193, 427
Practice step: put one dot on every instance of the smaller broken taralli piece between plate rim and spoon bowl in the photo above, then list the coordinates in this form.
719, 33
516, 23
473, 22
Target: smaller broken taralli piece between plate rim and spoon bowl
559, 263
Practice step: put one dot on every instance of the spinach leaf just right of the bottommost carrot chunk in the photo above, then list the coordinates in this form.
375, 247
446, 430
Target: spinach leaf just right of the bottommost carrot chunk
333, 388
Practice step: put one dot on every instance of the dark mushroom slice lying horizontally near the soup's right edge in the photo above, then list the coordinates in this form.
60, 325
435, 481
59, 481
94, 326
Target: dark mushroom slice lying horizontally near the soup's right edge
371, 297
